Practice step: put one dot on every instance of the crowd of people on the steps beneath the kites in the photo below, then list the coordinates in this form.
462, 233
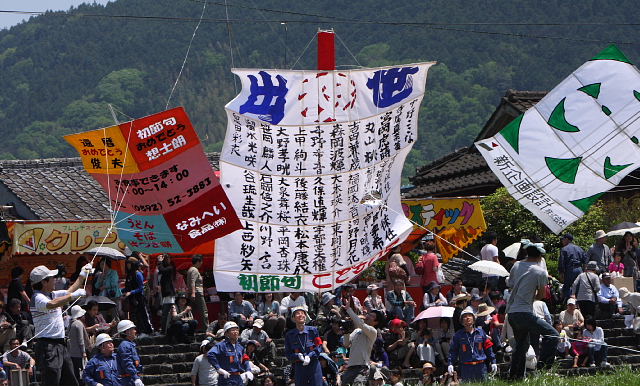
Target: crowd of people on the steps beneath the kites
329, 339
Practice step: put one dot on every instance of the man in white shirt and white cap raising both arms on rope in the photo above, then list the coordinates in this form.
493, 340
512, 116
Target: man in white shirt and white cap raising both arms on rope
46, 306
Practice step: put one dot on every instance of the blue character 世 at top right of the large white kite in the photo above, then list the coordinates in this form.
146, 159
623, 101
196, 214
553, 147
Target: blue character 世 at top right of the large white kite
391, 86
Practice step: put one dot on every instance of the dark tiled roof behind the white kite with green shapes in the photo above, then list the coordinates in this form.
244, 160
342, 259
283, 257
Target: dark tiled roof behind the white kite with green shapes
465, 172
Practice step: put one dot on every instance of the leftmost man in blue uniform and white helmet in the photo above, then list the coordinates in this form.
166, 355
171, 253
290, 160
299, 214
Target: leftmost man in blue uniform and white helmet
102, 369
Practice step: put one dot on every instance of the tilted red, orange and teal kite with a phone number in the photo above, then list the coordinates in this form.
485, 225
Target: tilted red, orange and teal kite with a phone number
162, 188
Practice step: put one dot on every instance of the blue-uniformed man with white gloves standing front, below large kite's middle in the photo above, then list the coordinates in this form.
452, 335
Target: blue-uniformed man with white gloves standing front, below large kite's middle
303, 346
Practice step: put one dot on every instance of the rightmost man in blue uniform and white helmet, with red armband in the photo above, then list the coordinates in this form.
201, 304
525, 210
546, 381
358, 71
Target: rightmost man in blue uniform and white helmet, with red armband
471, 349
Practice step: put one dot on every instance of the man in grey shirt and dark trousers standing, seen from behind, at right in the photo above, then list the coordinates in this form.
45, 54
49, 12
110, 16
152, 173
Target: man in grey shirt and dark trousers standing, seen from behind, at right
527, 282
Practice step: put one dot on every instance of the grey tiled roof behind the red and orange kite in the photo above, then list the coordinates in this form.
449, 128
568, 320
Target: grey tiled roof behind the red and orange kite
59, 188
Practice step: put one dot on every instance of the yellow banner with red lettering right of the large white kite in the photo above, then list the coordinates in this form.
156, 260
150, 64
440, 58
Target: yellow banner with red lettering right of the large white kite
459, 221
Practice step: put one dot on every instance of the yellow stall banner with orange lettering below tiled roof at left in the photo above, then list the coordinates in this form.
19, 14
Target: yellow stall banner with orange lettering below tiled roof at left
64, 237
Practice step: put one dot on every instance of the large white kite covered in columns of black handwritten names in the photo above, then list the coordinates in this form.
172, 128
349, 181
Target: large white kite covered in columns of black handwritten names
312, 163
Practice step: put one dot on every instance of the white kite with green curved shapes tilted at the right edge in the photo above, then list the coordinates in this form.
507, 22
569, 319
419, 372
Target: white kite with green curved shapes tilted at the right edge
578, 142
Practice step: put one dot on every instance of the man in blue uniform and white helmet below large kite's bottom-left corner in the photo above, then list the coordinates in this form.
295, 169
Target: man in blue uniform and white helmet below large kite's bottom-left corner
229, 360
